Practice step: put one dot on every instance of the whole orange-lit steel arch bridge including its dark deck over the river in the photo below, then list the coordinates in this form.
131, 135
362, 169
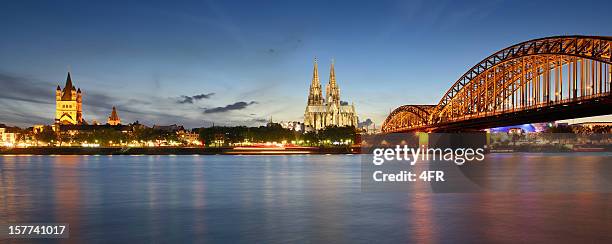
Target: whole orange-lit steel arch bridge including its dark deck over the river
540, 80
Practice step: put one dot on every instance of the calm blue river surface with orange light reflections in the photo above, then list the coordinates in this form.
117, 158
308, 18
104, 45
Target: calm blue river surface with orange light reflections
274, 199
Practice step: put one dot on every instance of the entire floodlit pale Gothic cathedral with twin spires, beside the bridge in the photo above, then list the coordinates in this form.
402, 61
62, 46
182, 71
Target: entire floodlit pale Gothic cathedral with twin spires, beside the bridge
329, 111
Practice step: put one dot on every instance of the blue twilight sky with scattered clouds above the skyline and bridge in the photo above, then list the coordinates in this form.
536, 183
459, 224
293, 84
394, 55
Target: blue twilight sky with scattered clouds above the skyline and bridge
240, 62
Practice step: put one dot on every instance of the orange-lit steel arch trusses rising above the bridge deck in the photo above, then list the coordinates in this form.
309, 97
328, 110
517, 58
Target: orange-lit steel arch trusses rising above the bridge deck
536, 74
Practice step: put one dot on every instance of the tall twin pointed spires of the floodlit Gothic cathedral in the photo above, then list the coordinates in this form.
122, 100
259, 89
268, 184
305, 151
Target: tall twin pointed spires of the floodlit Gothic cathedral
332, 92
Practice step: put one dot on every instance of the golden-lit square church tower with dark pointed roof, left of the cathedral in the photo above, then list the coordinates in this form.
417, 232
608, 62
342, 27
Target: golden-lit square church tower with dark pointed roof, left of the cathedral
68, 104
